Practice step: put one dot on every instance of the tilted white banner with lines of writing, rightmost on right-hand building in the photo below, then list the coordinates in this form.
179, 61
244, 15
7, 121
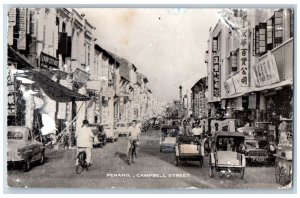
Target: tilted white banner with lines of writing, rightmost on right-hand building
265, 72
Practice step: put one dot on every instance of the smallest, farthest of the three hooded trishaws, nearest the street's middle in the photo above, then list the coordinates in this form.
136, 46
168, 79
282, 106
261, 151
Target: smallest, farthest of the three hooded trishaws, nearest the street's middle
168, 138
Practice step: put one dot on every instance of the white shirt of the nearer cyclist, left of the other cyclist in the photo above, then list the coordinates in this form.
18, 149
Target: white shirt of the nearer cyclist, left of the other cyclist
84, 137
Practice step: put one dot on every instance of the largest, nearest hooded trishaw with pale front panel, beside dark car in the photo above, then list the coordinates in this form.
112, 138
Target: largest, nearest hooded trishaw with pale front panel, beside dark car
226, 156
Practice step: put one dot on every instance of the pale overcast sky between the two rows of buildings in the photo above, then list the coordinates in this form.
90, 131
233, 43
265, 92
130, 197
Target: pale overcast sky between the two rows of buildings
166, 45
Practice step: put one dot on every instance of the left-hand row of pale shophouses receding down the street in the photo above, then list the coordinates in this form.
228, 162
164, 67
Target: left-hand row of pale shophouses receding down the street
57, 68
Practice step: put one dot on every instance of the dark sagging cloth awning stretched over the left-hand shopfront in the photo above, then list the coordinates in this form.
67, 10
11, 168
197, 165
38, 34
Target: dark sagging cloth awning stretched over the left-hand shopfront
56, 91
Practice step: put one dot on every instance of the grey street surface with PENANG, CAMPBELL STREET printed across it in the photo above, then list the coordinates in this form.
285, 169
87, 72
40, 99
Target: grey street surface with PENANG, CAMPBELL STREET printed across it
151, 170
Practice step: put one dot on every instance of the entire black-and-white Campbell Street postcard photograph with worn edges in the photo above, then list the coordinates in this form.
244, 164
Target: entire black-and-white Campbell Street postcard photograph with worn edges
149, 98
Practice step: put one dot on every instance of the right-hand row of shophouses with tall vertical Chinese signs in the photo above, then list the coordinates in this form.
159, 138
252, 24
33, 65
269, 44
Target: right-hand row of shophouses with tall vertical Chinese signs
250, 61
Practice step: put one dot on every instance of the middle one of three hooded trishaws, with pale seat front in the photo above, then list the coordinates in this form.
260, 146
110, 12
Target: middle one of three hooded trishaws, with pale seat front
189, 148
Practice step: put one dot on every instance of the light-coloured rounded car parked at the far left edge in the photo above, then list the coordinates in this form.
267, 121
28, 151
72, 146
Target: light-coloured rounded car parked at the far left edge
23, 148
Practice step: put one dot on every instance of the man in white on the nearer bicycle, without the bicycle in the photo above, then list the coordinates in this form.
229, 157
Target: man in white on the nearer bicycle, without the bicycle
85, 137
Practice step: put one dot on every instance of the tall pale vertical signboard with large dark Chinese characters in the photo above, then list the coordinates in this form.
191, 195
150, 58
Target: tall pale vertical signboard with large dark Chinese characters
244, 58
